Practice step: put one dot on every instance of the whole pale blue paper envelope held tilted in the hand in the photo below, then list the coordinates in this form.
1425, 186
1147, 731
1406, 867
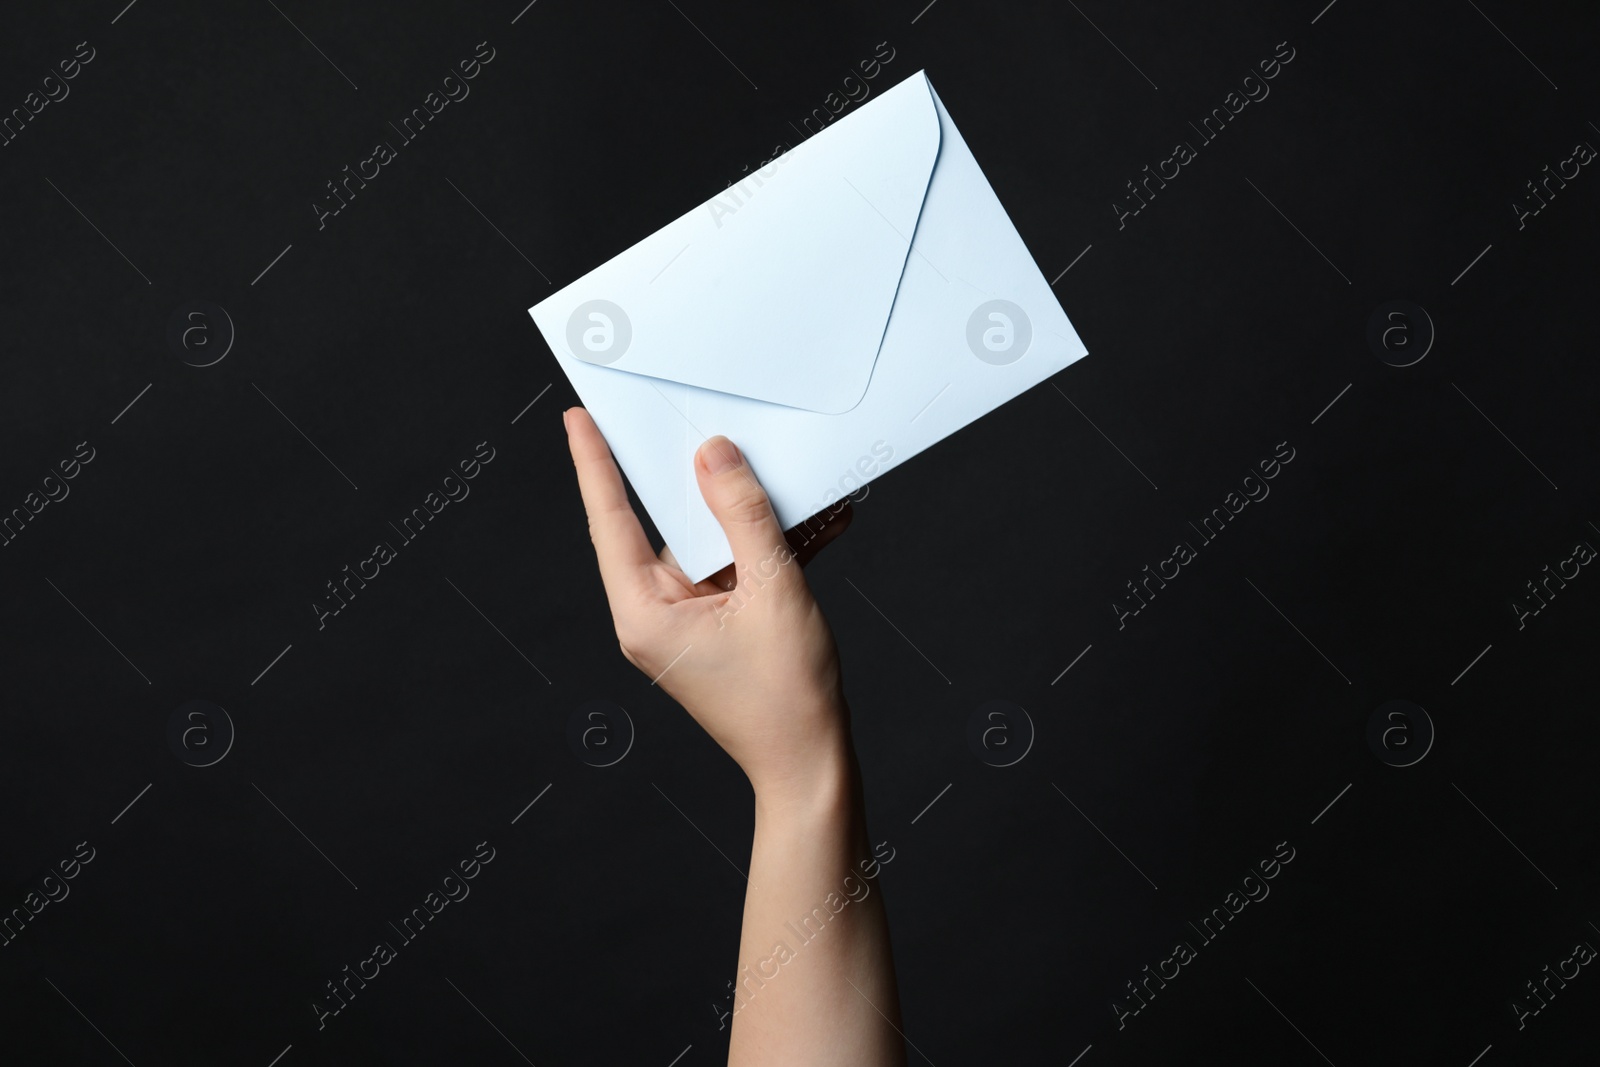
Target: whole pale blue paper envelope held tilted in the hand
834, 314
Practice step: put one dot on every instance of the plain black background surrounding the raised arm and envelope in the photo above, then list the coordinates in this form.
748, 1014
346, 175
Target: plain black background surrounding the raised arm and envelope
1202, 735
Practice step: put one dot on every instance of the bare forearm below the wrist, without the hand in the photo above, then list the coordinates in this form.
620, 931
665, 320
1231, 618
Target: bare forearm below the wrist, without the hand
817, 981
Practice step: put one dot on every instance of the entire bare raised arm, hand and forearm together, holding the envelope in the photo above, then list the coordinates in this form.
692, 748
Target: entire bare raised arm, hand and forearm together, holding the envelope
762, 677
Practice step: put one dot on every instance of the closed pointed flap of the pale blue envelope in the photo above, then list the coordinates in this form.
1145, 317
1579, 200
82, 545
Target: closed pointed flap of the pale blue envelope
778, 289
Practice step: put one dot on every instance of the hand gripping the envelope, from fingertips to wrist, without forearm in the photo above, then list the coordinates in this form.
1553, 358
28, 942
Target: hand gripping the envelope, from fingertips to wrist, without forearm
745, 652
